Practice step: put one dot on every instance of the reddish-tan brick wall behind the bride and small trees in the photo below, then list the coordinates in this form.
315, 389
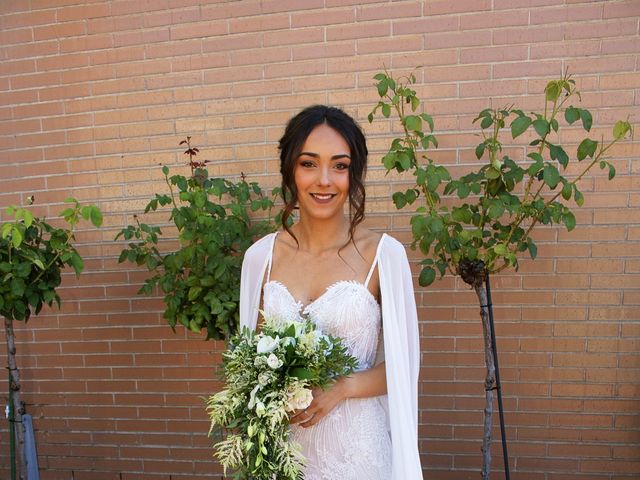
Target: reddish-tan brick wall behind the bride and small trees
94, 95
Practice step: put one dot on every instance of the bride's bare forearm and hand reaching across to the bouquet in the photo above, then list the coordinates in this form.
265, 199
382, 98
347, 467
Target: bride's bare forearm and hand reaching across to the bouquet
367, 383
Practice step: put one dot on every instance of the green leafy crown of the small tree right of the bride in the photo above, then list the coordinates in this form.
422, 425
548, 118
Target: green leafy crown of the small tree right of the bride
500, 203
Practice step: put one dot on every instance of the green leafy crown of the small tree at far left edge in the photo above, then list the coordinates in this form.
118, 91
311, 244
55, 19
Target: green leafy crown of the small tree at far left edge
33, 254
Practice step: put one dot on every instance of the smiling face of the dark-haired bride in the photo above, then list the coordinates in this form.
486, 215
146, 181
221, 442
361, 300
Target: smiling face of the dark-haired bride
322, 174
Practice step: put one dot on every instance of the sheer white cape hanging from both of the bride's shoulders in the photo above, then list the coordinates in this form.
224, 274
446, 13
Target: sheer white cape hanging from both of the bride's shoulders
401, 341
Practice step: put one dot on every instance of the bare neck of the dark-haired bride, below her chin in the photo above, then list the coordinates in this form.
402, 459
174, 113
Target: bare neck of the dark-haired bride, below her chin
317, 237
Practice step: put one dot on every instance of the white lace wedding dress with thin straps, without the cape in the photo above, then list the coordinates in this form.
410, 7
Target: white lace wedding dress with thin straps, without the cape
352, 442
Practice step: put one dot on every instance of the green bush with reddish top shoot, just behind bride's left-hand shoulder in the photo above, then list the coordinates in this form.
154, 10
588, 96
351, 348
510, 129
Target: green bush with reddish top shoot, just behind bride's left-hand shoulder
200, 280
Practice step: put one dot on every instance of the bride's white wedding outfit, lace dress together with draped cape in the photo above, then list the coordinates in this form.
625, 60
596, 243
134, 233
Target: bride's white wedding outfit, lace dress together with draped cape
369, 438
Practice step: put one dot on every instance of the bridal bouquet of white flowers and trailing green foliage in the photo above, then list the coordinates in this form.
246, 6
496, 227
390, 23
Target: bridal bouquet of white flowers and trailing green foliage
268, 375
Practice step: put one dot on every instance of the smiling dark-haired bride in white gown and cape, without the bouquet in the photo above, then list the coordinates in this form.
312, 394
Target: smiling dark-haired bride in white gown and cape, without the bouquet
352, 283
